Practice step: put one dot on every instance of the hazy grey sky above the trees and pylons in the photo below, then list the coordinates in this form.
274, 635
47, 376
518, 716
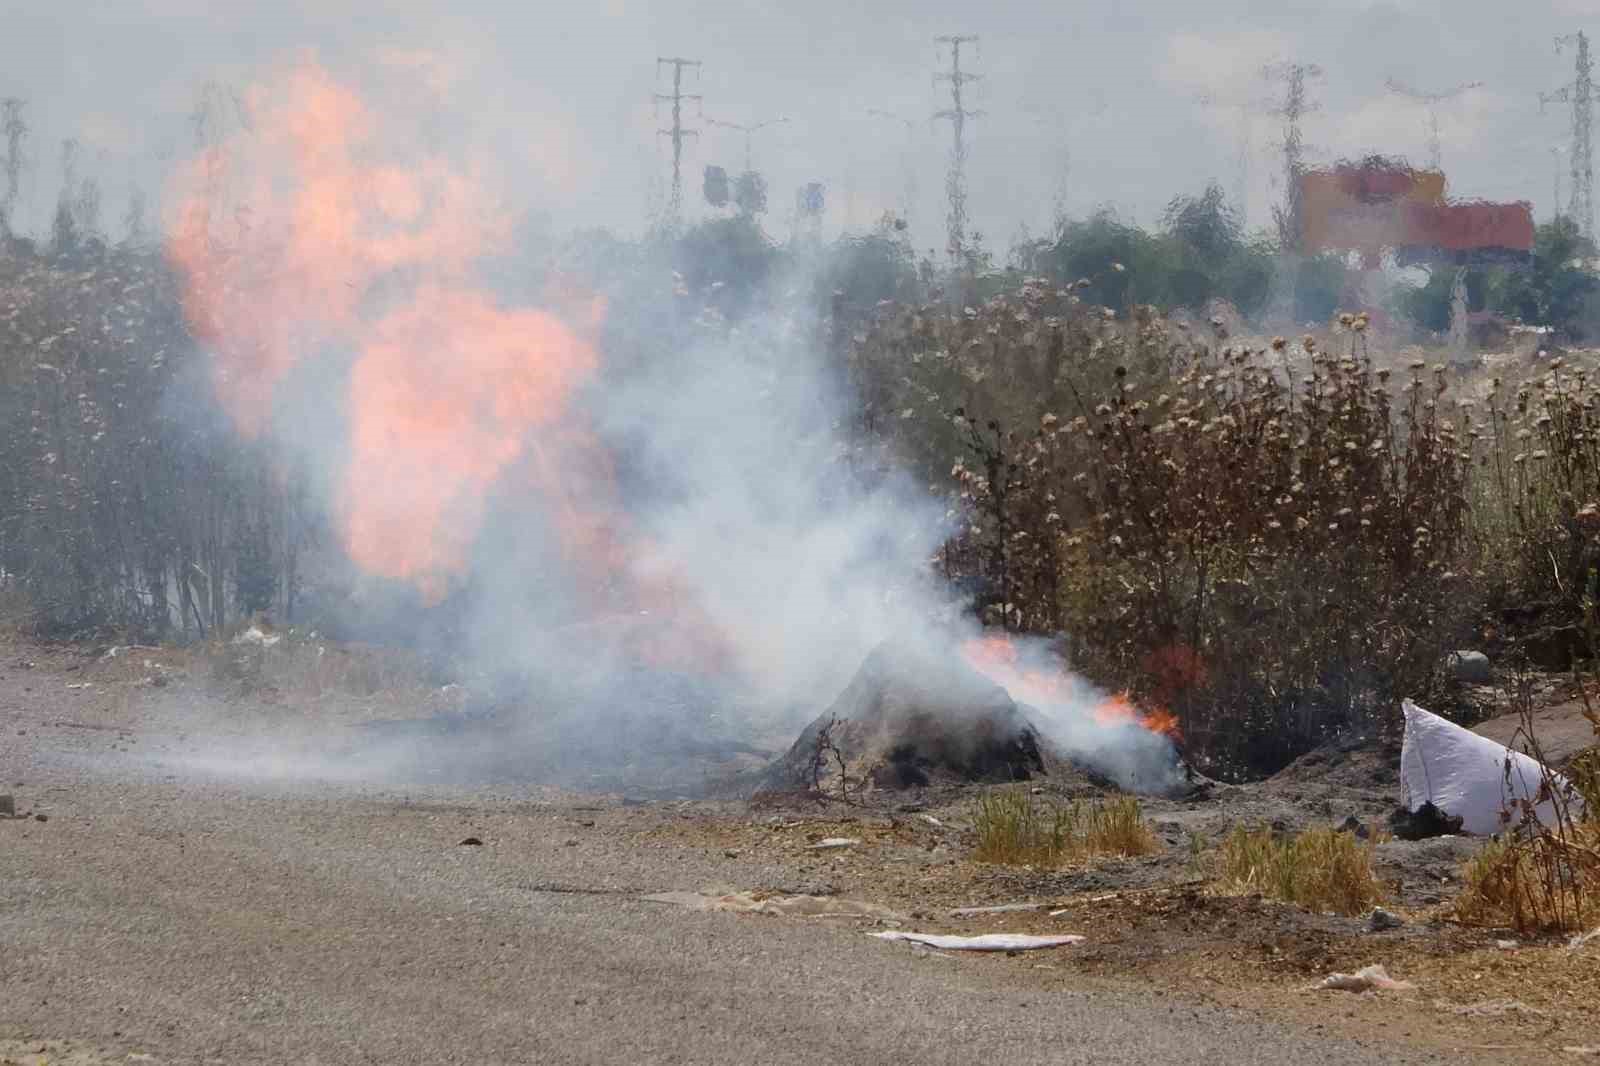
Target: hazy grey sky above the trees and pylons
1097, 105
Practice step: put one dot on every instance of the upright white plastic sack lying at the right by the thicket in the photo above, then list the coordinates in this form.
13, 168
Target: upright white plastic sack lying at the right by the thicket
1466, 775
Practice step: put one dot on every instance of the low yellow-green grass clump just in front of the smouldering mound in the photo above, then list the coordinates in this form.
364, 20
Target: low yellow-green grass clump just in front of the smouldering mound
1017, 830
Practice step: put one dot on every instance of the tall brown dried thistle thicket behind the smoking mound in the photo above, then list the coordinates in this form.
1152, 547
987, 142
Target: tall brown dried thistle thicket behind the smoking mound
1268, 542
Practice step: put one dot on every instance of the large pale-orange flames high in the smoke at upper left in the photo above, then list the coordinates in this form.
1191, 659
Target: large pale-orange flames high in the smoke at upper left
353, 244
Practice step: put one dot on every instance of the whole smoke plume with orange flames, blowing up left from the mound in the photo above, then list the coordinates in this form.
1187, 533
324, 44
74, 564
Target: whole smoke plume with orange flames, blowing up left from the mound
633, 539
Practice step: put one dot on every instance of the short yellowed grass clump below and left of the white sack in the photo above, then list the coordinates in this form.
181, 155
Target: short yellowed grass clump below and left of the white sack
1321, 870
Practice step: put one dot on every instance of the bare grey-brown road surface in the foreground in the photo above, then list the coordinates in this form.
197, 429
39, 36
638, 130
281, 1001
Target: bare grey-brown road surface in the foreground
161, 913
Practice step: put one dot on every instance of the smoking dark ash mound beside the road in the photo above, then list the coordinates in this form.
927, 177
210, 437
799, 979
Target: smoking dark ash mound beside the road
911, 718
